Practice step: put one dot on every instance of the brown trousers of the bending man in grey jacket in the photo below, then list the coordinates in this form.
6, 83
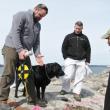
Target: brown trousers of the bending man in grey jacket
8, 76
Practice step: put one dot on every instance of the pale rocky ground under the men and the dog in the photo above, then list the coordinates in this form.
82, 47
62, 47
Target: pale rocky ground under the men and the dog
92, 94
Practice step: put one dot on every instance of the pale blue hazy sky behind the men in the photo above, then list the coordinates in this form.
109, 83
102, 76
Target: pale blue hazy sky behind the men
59, 22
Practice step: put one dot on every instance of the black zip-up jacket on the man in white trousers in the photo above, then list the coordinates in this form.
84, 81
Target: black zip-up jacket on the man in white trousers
77, 47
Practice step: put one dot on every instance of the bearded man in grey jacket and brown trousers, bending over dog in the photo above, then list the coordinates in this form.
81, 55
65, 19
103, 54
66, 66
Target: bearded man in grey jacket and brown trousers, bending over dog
24, 35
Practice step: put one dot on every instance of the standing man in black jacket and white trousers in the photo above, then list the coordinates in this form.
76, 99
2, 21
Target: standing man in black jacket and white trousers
76, 52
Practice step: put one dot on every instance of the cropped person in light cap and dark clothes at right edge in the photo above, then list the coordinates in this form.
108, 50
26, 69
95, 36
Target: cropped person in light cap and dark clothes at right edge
107, 95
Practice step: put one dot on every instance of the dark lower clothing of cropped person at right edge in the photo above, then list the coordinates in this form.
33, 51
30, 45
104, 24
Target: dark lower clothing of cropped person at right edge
107, 96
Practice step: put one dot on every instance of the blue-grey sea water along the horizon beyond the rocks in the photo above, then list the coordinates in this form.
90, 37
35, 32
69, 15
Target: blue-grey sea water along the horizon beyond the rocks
96, 69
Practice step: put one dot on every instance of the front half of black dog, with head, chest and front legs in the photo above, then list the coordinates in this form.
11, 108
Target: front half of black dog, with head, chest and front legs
43, 75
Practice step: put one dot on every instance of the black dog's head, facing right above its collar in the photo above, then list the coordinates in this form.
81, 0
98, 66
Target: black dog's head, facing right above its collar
54, 69
